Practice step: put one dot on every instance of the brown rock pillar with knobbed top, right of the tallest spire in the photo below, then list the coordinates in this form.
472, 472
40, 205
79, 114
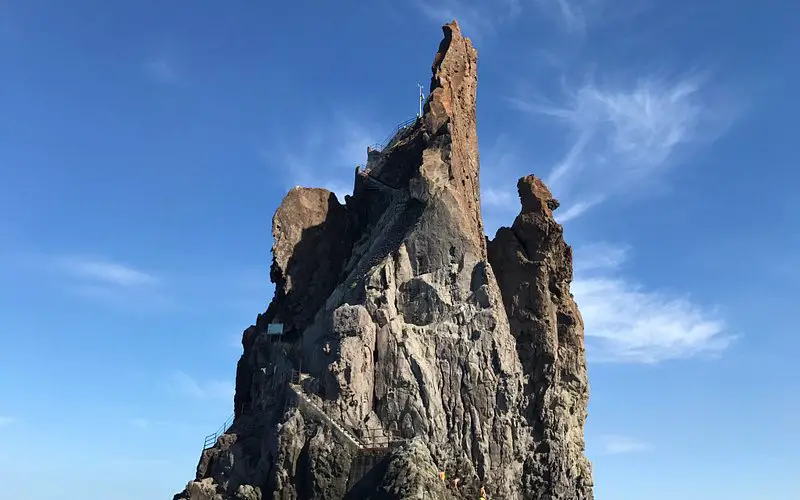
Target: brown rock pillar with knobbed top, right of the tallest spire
533, 266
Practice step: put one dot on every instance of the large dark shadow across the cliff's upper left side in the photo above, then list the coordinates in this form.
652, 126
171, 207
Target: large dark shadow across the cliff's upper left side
317, 265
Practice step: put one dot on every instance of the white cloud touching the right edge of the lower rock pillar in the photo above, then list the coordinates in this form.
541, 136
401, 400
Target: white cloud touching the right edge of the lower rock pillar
624, 322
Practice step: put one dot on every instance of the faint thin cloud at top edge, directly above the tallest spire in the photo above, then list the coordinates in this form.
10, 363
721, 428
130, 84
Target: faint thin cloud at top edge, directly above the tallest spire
477, 18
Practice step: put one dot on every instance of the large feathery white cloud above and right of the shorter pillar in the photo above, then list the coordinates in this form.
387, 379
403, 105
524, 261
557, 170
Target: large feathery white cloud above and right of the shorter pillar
627, 136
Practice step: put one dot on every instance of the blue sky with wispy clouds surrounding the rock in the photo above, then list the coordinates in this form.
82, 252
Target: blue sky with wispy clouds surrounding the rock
145, 145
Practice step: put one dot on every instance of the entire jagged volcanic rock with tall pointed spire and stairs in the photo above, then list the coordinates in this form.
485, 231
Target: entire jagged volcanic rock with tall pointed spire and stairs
403, 356
